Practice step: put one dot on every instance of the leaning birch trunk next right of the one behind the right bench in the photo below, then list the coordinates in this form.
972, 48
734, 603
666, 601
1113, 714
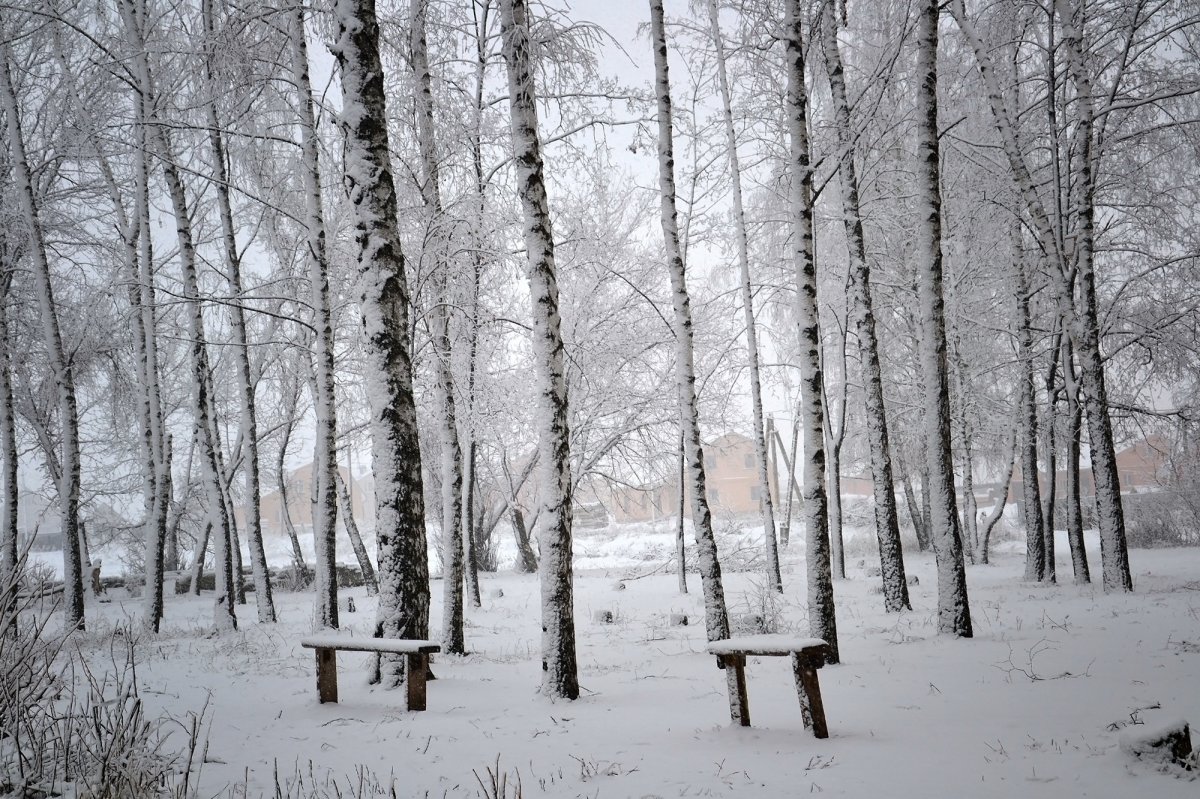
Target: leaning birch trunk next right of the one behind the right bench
887, 522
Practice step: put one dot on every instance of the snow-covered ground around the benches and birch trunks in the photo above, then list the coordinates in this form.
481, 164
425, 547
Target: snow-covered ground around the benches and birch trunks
1035, 706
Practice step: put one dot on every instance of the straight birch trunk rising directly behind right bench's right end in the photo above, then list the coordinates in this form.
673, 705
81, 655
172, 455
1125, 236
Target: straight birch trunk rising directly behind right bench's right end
823, 621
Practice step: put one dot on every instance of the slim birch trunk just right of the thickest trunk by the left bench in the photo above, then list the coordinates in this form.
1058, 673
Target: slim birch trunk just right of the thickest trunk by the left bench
448, 426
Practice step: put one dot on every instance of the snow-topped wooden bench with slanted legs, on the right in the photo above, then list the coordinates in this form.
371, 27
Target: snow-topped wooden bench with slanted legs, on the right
808, 656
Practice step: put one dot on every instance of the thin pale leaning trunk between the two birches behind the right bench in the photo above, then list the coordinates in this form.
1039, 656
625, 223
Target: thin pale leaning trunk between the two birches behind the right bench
743, 248
